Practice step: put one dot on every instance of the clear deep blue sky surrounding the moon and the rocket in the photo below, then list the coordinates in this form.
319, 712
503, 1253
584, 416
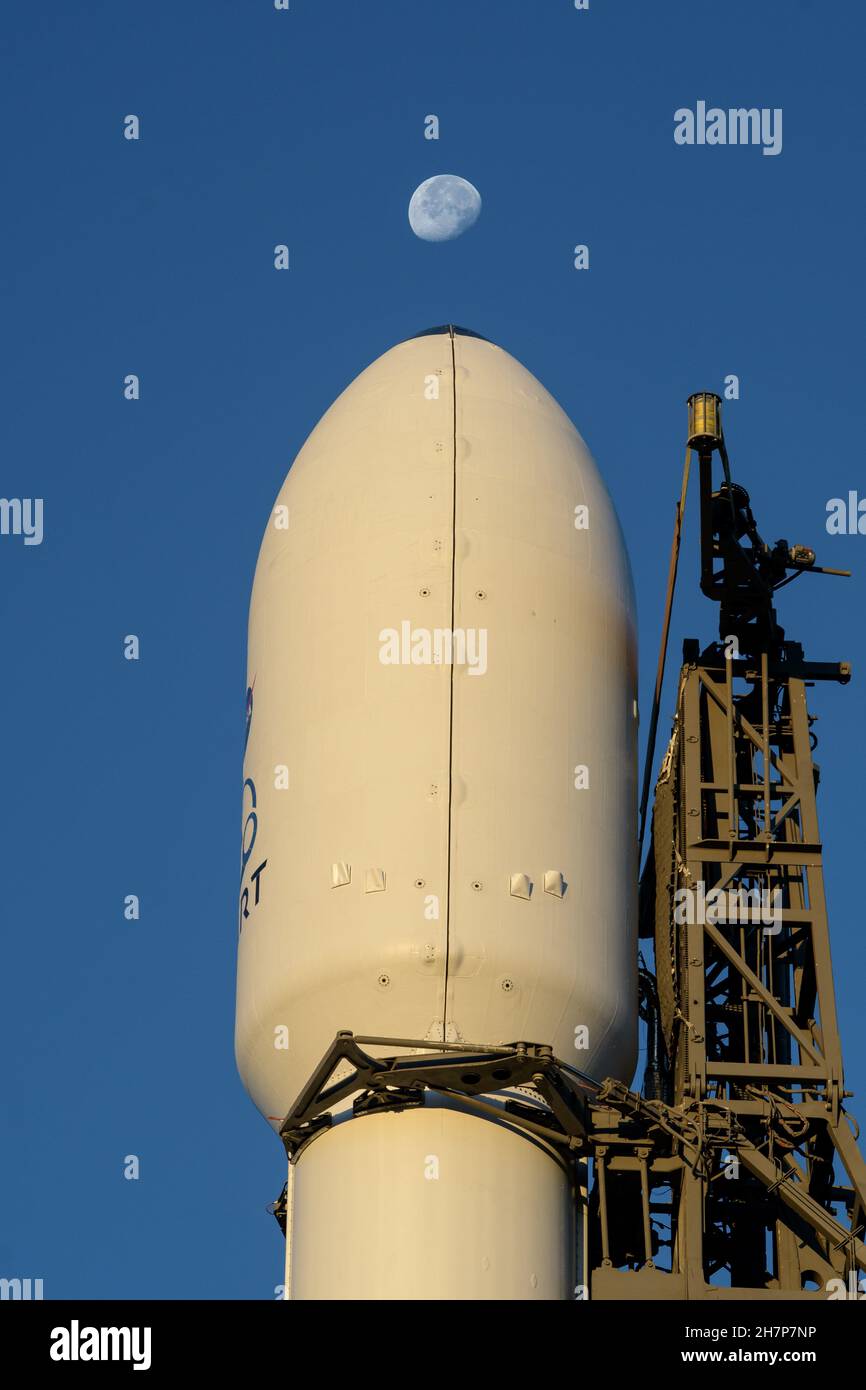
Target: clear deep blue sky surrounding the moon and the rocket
156, 258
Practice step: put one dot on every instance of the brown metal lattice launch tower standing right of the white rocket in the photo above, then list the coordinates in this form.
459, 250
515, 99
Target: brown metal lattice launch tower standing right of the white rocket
724, 1179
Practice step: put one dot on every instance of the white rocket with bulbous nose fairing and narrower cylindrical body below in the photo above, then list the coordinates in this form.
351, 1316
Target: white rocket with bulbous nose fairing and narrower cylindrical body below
439, 812
